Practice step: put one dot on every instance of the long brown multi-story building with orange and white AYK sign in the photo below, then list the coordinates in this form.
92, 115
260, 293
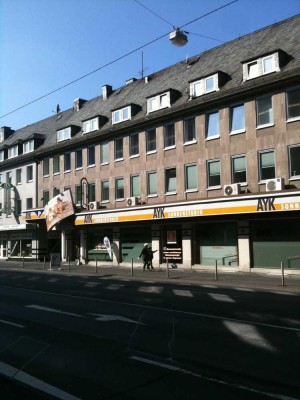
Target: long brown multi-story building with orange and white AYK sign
201, 160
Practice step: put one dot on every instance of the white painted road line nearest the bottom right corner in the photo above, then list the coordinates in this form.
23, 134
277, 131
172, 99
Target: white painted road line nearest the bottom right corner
221, 382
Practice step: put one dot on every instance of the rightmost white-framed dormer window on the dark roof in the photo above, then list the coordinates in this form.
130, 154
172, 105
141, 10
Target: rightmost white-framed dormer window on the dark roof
261, 66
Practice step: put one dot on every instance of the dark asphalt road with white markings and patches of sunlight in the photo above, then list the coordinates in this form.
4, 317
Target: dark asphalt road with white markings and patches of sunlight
98, 337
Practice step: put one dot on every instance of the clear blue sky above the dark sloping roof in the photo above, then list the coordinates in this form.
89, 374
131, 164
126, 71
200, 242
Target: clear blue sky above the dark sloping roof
46, 44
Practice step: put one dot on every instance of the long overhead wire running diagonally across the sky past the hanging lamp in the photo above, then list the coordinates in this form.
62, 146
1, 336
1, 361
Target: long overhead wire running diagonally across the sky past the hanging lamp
112, 62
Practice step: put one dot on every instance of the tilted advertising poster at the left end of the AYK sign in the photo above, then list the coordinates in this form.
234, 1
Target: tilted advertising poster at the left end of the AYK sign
58, 208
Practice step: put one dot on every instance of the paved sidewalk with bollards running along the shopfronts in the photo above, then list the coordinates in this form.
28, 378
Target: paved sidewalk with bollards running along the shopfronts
271, 280
